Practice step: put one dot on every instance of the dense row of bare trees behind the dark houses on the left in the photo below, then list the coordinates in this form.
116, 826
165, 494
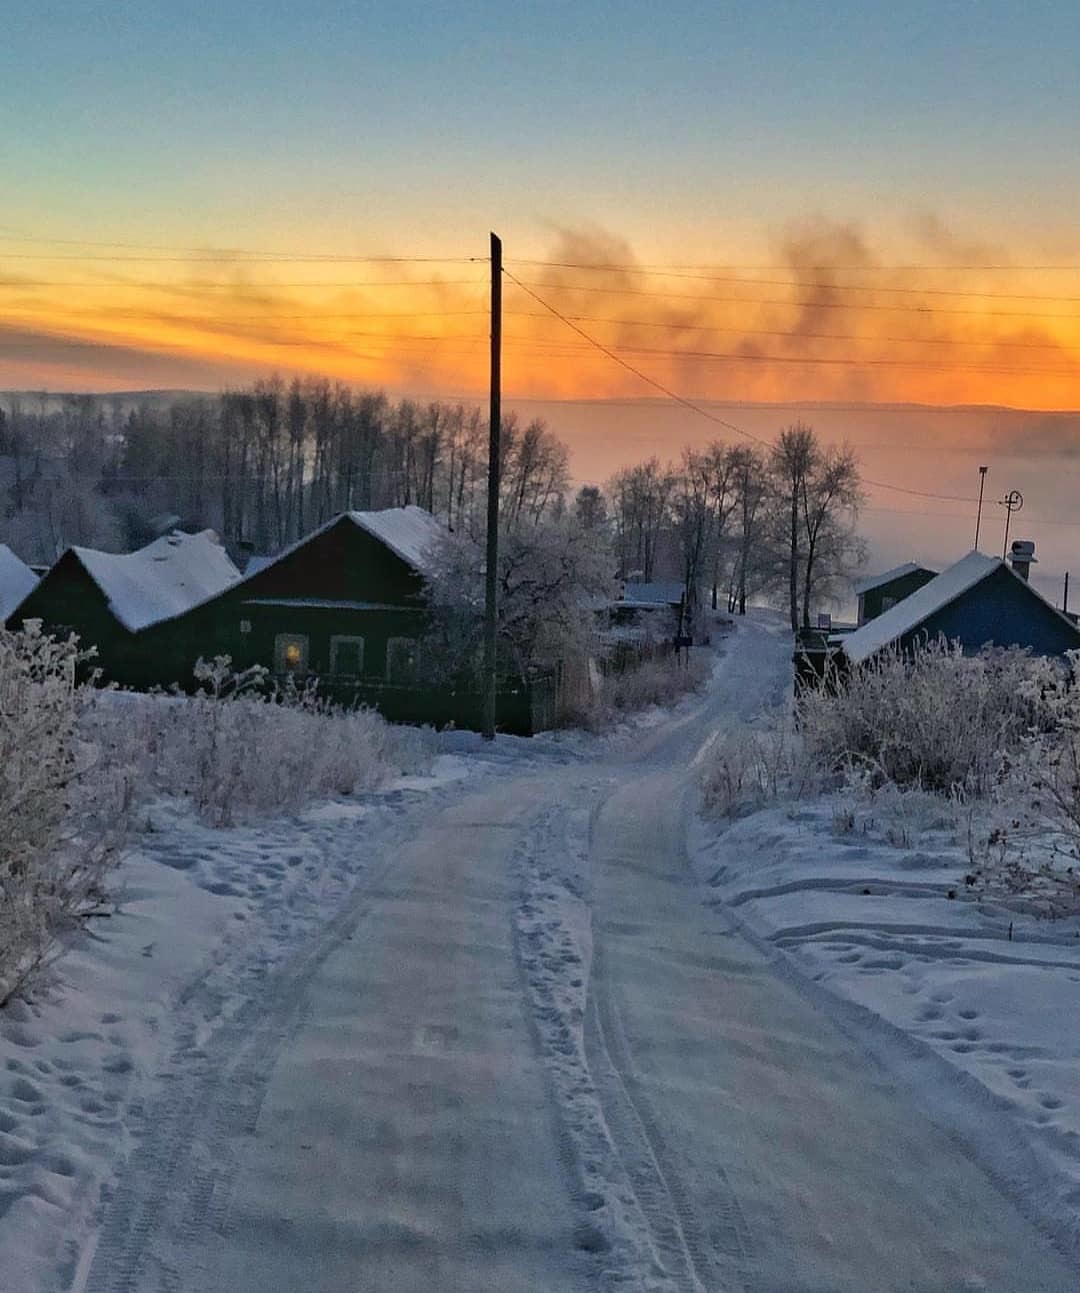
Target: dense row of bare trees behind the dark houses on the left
262, 466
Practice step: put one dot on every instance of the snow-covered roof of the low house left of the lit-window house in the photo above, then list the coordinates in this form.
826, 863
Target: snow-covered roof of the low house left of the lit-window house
166, 579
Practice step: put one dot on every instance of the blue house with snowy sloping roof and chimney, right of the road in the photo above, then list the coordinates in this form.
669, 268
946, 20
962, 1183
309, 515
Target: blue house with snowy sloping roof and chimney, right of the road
978, 602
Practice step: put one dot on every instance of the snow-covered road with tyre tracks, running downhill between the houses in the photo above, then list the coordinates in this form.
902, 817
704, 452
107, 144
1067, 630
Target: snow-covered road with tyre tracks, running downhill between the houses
527, 1054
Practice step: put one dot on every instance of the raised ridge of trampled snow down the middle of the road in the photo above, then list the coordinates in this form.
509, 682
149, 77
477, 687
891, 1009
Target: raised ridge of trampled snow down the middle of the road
638, 1210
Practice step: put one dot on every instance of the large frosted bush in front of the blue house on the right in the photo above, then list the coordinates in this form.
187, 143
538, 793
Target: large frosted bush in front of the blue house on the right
938, 721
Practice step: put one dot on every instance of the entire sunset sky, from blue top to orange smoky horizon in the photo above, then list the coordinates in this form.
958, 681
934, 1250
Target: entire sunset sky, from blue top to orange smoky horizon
845, 204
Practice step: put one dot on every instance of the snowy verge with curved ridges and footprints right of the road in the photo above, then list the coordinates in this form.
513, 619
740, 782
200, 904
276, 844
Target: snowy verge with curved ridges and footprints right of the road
964, 988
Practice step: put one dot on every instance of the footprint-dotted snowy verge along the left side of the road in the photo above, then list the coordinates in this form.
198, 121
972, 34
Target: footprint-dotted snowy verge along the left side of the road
201, 917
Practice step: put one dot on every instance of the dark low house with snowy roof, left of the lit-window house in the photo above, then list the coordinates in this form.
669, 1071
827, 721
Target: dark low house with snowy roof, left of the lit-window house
111, 601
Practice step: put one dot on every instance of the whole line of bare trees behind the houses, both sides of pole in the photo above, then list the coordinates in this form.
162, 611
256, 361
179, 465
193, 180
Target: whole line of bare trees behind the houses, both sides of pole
267, 465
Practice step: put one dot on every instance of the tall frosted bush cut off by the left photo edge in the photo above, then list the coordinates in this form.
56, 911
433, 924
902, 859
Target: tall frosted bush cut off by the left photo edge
63, 806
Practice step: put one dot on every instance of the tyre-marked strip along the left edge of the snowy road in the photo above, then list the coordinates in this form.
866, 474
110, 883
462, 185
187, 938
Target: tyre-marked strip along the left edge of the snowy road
175, 1189
